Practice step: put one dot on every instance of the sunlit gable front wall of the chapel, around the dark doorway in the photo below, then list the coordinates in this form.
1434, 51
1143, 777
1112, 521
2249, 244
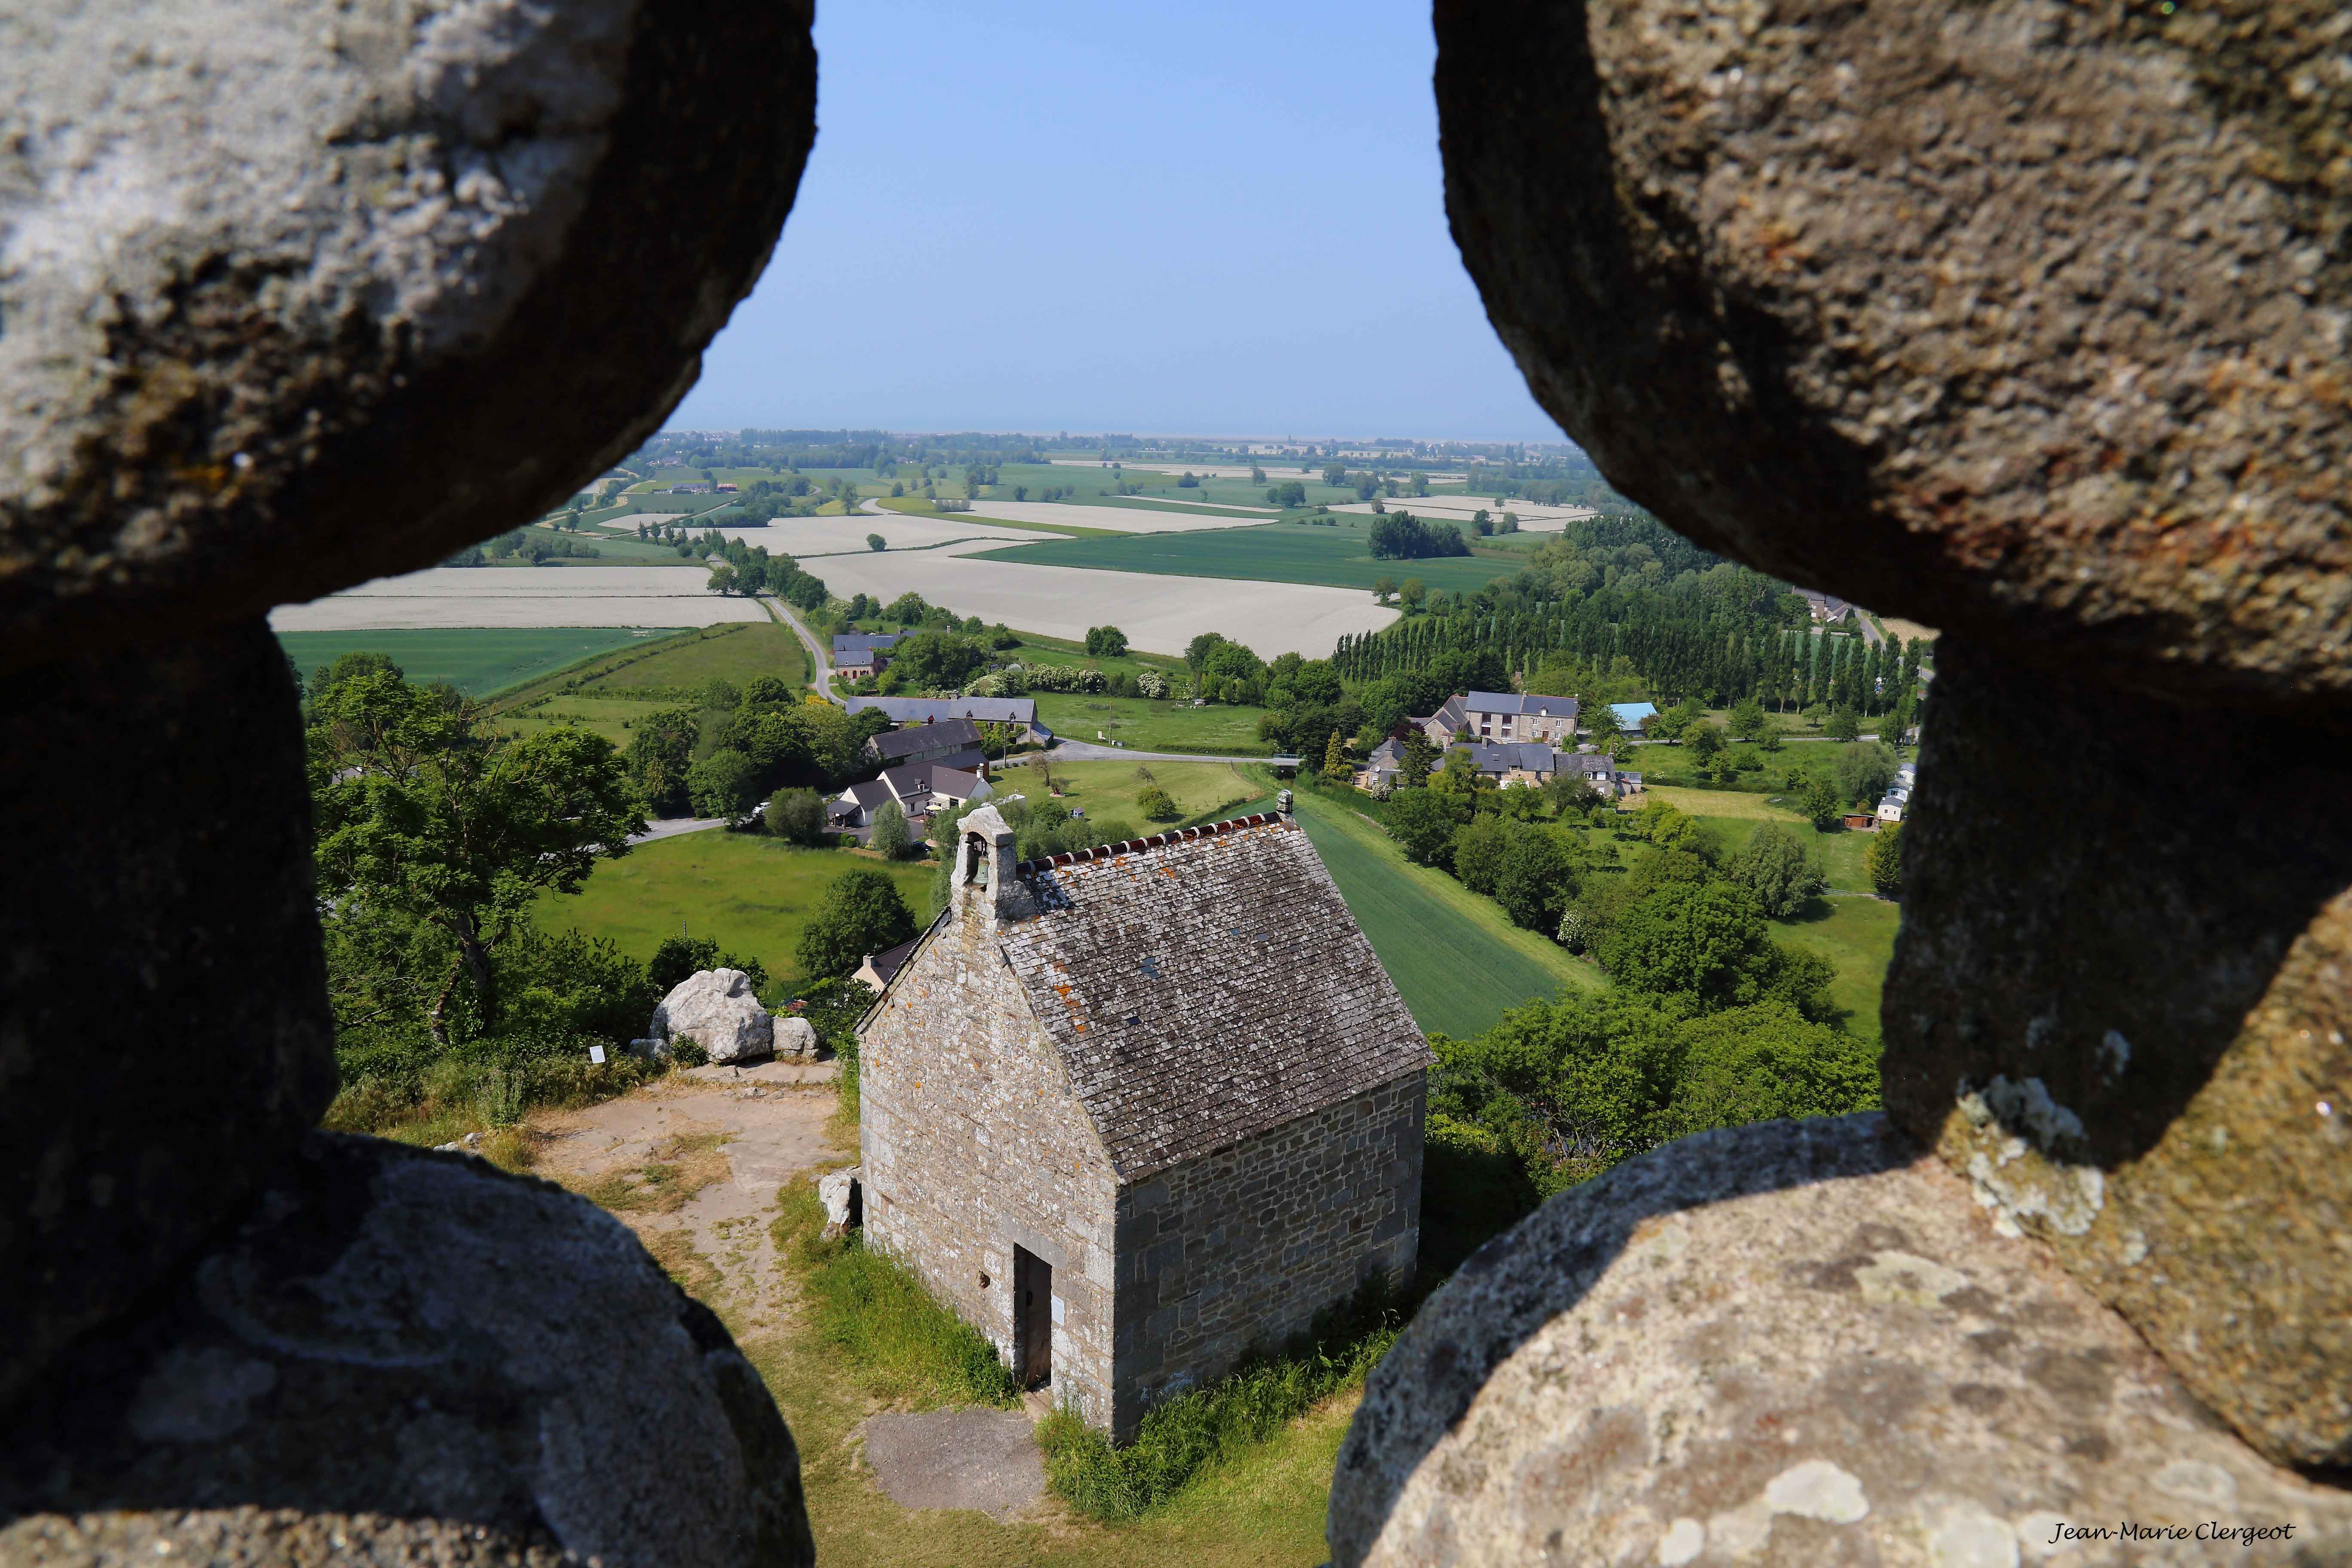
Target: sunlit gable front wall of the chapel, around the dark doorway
973, 1146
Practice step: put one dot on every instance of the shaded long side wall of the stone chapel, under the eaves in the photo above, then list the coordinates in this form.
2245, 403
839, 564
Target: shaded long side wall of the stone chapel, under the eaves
1241, 1249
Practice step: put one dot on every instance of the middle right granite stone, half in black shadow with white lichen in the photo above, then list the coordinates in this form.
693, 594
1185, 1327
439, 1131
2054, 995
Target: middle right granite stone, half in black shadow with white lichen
2120, 1005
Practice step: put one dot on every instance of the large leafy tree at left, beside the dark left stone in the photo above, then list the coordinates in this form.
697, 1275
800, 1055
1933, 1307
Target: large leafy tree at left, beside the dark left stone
427, 812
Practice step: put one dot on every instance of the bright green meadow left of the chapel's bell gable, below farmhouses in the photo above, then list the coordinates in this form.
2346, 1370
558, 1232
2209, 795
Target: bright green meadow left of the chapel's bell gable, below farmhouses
749, 892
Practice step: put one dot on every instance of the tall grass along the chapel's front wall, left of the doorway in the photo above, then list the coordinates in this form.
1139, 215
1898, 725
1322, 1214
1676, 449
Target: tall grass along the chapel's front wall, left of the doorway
874, 1313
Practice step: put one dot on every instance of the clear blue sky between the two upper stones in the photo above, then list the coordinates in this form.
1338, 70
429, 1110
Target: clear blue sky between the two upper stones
1215, 220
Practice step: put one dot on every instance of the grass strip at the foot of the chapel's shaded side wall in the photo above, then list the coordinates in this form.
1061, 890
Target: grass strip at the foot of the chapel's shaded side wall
1187, 1435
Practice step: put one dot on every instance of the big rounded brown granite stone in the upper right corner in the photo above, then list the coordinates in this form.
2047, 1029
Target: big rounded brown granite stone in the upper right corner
2024, 319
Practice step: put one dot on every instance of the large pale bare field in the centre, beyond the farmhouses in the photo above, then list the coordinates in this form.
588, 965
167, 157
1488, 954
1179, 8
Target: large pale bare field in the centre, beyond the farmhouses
1161, 615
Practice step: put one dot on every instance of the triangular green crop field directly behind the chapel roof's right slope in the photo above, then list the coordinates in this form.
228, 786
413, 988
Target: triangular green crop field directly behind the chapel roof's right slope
1455, 958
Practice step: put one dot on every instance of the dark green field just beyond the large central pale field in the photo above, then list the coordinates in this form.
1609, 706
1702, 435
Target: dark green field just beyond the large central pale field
1271, 554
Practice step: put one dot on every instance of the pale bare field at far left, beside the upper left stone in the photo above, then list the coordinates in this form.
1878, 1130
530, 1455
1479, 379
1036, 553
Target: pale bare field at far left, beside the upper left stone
523, 596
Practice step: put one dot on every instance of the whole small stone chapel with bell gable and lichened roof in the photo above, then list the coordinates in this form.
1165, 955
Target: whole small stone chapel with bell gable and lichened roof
1144, 1108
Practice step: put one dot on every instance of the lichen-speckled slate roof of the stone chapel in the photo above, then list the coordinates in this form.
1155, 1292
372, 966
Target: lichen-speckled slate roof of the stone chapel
1208, 989
